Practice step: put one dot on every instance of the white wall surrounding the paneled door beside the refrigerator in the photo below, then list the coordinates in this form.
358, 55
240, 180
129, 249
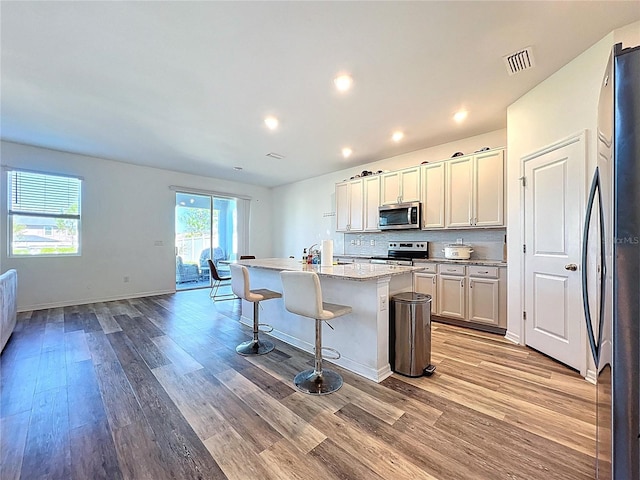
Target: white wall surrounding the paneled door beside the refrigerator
563, 105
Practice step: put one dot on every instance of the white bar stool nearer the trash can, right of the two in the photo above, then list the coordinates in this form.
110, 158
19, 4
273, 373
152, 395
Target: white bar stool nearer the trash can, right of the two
303, 296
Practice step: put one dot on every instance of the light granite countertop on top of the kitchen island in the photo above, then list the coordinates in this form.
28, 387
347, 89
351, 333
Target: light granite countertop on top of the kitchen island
352, 271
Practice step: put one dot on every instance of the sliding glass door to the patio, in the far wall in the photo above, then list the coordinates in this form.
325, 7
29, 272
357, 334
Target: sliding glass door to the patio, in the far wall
206, 228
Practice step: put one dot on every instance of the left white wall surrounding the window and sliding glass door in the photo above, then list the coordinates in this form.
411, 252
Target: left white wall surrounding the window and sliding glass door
125, 209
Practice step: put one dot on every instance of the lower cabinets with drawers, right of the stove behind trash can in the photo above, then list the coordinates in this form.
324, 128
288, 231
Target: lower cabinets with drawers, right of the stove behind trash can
474, 294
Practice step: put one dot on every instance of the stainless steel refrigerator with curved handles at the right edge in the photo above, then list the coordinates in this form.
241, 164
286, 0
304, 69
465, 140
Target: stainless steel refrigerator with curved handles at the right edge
611, 268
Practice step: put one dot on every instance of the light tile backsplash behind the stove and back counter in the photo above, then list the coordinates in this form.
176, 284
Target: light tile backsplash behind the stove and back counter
488, 244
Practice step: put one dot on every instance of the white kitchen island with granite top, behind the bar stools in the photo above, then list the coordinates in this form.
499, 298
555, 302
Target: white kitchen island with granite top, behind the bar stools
361, 337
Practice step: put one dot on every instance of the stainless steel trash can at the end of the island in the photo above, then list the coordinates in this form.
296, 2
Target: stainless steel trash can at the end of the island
410, 334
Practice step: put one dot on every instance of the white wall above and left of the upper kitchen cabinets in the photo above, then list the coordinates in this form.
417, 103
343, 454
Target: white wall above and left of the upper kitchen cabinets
304, 212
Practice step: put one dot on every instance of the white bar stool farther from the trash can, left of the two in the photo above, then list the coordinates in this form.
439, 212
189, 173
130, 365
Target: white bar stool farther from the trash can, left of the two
240, 287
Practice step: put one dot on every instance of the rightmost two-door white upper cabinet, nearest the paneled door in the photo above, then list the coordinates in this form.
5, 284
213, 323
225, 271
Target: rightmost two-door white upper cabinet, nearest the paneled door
475, 190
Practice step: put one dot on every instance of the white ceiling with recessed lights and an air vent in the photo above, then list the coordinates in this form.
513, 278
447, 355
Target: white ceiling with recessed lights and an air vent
185, 86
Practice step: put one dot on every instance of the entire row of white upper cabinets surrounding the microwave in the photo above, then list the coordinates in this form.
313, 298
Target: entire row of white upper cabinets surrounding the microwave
460, 192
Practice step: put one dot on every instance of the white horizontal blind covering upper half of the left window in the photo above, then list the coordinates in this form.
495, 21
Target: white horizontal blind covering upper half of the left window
44, 195
